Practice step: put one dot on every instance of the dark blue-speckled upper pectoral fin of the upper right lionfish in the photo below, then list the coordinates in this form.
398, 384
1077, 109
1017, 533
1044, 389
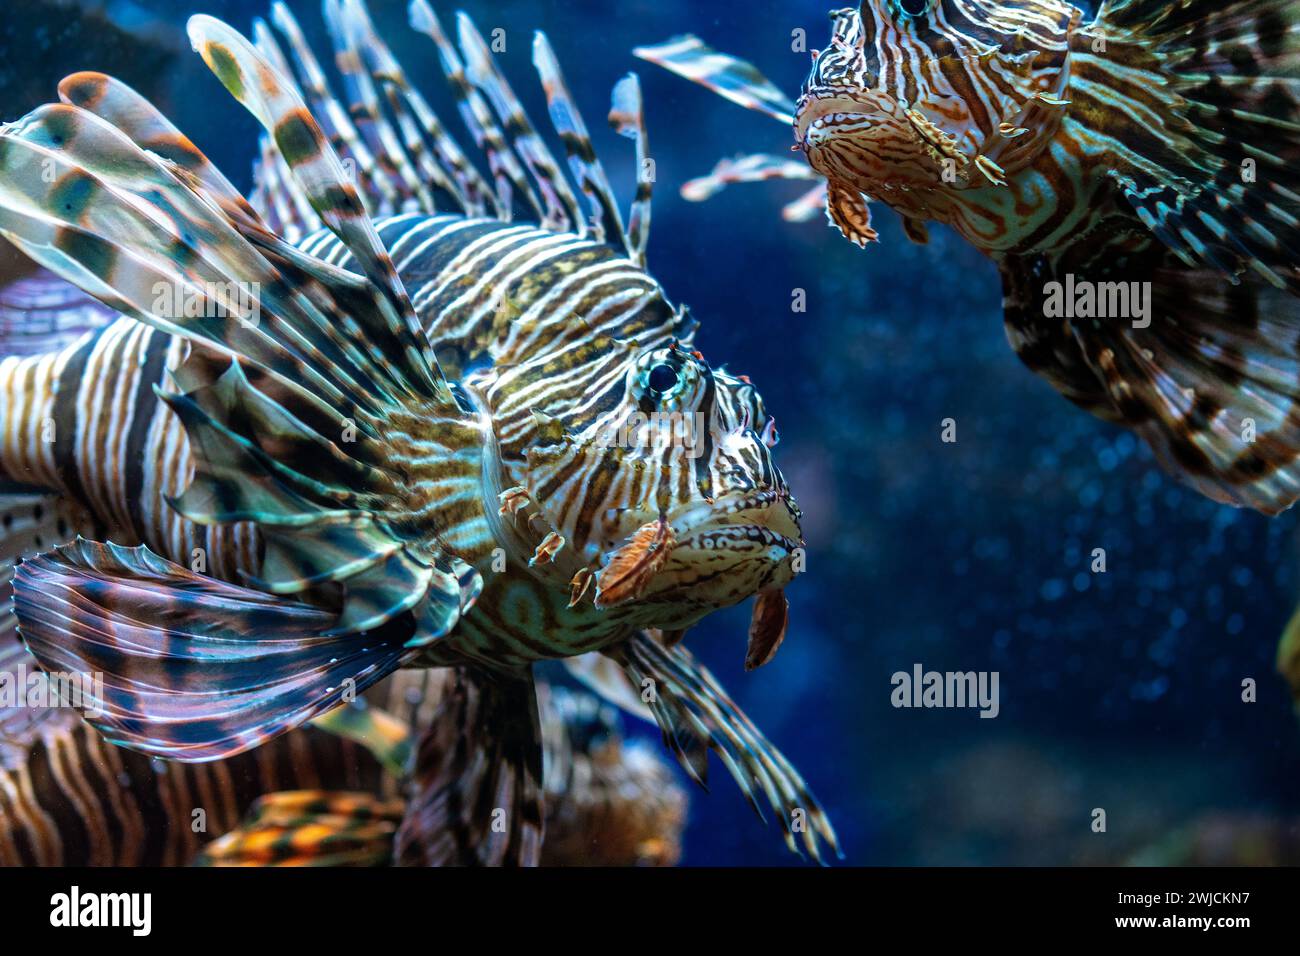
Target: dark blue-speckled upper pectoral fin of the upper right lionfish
1201, 115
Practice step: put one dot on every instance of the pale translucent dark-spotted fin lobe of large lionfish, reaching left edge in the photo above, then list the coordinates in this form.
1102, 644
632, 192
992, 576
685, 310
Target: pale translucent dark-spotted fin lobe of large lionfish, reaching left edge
119, 222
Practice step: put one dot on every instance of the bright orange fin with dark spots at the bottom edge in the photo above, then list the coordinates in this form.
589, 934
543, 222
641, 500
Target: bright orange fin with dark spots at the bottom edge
310, 828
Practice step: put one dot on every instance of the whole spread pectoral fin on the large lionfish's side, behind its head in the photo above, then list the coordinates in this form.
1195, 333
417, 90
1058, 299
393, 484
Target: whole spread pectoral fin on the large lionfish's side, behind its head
297, 354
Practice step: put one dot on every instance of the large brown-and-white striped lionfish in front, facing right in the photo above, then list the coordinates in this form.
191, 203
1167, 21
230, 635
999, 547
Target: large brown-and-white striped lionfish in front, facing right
370, 422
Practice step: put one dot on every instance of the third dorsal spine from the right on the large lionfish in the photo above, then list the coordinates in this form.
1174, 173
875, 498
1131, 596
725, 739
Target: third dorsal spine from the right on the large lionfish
562, 207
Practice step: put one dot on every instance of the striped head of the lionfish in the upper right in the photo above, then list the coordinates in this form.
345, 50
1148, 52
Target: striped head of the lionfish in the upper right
934, 94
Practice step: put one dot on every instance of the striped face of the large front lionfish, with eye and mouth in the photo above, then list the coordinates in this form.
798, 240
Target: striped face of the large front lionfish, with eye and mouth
692, 513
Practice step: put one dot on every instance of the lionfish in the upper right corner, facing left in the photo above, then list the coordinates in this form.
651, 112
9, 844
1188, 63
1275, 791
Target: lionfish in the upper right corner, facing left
1139, 165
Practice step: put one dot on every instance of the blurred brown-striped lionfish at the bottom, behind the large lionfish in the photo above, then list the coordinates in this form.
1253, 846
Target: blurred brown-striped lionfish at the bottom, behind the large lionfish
326, 795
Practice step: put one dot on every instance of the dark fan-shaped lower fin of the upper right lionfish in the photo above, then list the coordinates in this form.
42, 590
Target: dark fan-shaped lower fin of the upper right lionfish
1212, 382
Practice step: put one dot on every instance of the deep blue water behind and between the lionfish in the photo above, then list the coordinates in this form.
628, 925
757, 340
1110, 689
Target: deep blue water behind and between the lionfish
1120, 691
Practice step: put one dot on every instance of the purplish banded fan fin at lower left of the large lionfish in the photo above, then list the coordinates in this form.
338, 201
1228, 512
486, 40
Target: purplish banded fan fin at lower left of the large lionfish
193, 669
